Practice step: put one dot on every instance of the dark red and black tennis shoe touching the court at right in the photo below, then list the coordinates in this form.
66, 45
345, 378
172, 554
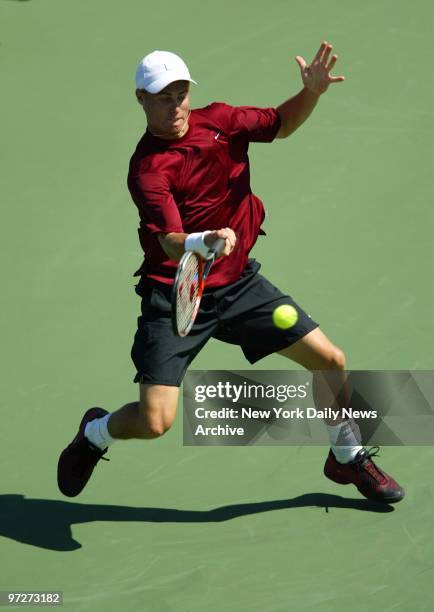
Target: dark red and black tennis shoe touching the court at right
372, 482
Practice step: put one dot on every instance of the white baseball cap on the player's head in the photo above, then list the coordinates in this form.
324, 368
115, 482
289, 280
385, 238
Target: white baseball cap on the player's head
159, 68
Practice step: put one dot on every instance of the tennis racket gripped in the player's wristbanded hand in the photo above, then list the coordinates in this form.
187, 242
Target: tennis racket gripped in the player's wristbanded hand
189, 285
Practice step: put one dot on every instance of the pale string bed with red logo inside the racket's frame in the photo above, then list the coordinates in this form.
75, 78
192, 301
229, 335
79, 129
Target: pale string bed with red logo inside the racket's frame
187, 294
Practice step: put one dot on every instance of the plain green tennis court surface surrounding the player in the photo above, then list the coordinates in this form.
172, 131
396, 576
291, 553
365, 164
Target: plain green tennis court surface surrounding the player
161, 527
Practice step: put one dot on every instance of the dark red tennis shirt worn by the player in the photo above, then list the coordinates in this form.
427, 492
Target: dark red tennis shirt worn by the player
200, 182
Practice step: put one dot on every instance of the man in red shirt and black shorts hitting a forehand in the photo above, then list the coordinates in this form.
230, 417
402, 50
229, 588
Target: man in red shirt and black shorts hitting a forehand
189, 178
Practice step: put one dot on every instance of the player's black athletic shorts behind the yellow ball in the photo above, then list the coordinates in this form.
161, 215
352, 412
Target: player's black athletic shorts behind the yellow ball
239, 313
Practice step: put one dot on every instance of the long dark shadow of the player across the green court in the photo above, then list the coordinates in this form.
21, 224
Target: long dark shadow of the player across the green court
47, 523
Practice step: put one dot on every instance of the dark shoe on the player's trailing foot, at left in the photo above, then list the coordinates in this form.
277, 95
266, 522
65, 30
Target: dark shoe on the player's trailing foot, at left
77, 461
